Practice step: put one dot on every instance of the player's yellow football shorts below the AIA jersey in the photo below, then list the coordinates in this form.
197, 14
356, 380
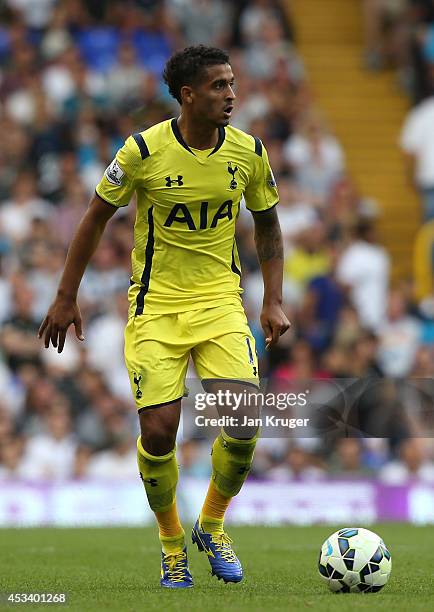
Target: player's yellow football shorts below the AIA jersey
158, 347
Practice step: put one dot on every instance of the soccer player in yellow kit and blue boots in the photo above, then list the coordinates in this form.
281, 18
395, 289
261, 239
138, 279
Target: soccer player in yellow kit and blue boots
189, 174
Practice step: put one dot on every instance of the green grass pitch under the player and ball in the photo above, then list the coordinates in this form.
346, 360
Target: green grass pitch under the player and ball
118, 569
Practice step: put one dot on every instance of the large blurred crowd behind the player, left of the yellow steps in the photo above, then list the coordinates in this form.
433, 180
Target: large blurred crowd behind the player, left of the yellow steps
76, 78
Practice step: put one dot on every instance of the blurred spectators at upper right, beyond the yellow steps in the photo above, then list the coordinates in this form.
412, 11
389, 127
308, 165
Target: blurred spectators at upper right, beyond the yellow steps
399, 34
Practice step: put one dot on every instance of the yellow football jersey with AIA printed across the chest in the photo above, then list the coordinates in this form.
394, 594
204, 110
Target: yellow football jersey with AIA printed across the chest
185, 256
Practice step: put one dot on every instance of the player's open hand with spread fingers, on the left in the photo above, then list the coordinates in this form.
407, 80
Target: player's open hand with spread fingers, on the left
59, 317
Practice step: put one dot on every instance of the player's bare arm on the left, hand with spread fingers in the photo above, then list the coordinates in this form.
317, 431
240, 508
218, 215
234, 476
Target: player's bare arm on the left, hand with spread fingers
65, 310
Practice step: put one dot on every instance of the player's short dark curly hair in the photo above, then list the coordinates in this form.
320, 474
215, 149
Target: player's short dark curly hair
186, 67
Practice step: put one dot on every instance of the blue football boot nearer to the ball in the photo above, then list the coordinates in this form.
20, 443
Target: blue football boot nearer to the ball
224, 562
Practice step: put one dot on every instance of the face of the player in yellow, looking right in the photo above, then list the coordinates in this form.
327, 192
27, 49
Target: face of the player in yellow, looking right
213, 99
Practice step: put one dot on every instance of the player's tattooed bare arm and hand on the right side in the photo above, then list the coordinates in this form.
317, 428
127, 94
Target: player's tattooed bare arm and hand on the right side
269, 246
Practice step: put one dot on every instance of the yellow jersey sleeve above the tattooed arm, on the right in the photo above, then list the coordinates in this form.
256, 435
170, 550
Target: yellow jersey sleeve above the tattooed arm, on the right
261, 191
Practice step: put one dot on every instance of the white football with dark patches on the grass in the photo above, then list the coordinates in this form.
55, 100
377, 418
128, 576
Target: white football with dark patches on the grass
355, 560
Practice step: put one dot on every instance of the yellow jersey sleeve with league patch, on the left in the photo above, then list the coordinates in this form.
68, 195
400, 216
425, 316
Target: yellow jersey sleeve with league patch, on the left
118, 182
